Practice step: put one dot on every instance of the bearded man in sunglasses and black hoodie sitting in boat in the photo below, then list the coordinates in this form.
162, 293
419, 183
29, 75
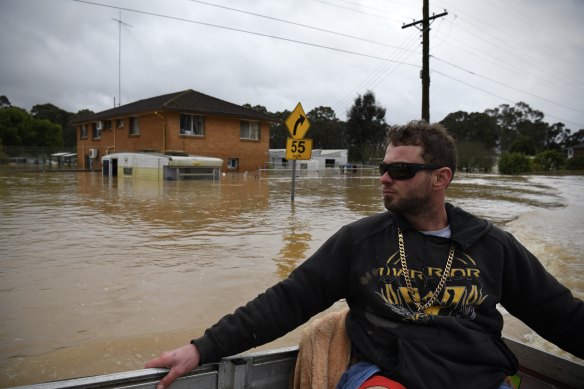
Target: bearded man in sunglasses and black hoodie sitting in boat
422, 282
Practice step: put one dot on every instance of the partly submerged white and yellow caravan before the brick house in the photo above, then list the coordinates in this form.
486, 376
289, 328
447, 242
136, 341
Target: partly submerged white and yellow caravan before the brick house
158, 166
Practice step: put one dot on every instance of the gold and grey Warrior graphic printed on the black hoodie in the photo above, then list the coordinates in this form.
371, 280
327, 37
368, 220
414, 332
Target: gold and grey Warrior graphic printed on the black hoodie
462, 292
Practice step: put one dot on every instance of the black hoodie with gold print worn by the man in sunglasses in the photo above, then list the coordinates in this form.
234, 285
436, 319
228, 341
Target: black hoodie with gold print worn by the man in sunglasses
454, 343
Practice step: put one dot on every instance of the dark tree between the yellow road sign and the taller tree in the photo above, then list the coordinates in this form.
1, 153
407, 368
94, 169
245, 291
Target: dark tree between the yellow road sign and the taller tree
326, 130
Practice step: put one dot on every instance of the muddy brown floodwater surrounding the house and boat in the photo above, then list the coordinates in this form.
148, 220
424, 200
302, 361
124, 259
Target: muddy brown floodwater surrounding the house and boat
98, 275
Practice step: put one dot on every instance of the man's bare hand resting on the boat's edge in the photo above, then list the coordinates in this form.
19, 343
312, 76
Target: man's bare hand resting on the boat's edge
180, 361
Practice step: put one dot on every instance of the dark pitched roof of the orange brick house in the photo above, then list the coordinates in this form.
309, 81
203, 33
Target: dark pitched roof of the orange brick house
188, 101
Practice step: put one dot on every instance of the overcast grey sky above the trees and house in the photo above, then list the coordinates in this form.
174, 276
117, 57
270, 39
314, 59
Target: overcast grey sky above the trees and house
277, 53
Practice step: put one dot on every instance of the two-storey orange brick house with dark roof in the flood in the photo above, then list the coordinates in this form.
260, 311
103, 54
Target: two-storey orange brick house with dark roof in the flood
187, 121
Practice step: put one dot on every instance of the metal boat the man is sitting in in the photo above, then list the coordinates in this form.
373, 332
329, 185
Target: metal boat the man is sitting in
273, 368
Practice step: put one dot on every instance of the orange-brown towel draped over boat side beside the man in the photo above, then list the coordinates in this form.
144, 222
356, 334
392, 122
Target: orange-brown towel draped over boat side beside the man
324, 352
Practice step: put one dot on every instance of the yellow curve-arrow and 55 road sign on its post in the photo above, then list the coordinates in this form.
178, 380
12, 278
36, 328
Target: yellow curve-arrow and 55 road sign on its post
297, 147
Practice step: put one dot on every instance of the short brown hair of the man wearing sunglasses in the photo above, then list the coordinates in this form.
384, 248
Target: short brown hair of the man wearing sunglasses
438, 146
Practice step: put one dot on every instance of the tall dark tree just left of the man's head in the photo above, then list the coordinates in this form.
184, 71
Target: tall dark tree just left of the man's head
366, 129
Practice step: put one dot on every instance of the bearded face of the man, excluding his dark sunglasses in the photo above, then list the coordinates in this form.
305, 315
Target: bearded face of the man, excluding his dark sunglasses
407, 195
